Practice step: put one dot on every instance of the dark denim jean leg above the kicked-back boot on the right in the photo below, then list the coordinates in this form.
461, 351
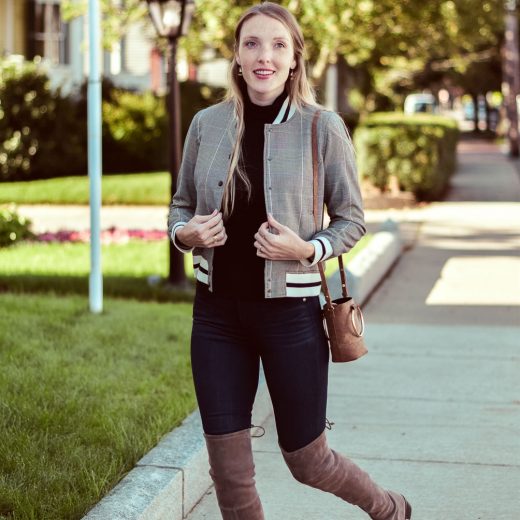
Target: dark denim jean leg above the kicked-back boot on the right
295, 357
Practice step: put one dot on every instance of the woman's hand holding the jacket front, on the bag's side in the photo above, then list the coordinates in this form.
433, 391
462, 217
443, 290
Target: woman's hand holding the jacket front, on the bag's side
281, 243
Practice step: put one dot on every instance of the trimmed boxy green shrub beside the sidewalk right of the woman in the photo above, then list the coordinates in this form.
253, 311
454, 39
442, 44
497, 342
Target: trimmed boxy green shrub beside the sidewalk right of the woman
418, 150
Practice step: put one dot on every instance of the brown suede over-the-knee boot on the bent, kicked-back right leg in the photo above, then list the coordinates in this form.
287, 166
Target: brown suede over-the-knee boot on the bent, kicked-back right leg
320, 467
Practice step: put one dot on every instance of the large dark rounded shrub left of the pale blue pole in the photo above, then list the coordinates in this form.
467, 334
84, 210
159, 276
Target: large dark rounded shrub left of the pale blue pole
40, 134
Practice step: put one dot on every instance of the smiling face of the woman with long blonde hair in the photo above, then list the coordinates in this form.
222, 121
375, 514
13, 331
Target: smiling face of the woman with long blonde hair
266, 54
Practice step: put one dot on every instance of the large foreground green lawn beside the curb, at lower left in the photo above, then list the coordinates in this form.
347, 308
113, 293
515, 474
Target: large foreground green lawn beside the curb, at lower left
84, 396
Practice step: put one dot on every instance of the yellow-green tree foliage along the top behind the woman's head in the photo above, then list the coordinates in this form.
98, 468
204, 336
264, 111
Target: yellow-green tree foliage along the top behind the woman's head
389, 43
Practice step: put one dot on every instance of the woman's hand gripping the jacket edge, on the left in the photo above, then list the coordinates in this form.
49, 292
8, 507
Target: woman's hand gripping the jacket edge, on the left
203, 231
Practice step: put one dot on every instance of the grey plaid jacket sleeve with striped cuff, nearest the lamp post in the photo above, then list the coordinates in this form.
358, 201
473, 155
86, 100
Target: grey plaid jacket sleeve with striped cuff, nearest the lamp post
184, 202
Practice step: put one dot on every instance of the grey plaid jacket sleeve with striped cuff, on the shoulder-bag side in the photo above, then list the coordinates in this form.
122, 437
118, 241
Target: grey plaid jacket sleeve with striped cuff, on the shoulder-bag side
342, 194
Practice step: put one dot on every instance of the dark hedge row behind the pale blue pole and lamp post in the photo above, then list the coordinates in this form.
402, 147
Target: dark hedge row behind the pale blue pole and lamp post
43, 134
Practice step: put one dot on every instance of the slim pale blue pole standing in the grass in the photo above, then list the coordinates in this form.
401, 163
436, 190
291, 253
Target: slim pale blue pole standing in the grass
94, 157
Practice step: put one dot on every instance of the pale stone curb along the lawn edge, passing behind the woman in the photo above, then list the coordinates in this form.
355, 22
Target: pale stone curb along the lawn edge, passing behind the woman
170, 480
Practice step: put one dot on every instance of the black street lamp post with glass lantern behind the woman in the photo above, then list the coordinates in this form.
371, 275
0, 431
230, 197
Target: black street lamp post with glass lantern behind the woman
171, 19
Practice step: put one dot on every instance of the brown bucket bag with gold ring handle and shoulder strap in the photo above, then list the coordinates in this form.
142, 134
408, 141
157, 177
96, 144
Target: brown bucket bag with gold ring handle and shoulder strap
342, 318
